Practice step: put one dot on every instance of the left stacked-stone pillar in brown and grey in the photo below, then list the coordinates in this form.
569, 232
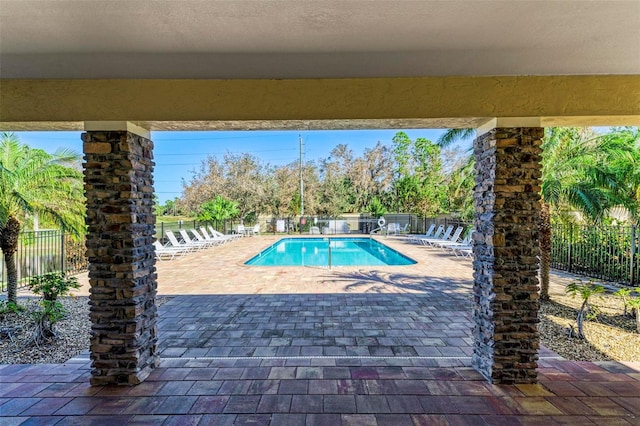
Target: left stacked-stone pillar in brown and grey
122, 272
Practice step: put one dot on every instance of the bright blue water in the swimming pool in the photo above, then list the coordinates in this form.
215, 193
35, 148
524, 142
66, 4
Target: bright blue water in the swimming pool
315, 252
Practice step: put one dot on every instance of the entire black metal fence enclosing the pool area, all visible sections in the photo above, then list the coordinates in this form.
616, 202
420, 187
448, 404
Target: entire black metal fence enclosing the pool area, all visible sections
608, 253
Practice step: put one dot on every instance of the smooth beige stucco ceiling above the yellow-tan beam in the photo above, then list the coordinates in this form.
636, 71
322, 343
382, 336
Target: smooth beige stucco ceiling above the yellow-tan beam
323, 39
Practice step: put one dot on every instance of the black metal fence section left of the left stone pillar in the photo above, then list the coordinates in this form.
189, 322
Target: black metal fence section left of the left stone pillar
45, 251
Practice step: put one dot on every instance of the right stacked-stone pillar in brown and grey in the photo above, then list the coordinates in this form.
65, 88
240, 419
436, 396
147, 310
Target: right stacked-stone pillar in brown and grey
506, 198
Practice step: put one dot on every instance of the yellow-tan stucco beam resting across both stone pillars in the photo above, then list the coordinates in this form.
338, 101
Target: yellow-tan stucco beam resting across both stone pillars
320, 103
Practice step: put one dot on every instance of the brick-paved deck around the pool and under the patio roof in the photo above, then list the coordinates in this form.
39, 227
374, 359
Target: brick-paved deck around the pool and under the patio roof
293, 346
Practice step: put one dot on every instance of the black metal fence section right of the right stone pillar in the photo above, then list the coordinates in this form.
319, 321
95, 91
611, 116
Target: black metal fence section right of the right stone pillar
609, 253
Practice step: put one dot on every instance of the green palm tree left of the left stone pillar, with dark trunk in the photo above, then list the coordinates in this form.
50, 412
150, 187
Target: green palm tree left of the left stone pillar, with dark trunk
33, 182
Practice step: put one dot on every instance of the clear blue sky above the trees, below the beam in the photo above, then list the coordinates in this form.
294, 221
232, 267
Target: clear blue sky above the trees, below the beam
177, 154
